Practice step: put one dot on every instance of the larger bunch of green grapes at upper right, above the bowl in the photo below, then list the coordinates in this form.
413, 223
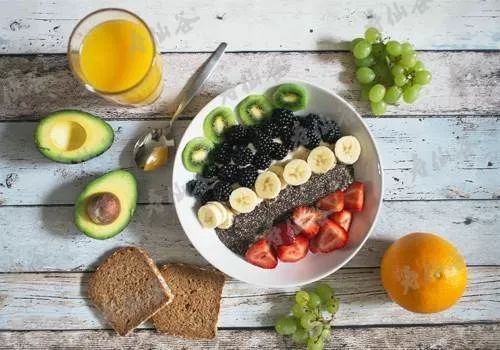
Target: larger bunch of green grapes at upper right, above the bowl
387, 71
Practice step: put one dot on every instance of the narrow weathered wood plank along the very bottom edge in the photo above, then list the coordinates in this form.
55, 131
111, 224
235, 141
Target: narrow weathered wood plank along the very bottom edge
450, 337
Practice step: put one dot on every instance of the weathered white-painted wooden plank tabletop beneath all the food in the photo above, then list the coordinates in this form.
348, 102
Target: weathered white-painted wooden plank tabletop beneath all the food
441, 161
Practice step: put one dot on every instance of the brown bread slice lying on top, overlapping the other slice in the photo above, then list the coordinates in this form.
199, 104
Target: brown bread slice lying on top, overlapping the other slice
128, 289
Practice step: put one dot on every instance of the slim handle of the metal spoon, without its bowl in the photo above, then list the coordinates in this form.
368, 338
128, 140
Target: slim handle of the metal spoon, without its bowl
194, 84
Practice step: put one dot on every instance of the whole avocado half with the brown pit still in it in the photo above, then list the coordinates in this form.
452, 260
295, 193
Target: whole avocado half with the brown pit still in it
106, 206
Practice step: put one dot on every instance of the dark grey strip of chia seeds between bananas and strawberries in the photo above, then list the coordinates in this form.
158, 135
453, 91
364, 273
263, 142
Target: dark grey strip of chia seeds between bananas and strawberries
248, 227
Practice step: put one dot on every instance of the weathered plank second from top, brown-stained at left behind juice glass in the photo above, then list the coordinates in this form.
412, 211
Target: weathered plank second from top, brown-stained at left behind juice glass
463, 83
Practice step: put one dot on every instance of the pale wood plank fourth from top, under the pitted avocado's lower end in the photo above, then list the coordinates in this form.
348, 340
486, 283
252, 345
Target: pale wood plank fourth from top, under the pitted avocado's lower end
45, 239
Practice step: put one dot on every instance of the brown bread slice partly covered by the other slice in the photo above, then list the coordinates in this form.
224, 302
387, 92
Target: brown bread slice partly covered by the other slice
194, 311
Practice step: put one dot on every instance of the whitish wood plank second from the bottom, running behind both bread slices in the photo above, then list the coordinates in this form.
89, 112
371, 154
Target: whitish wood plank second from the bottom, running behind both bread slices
58, 301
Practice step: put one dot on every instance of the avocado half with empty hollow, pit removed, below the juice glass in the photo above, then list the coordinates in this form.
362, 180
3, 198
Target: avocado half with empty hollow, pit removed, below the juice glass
72, 136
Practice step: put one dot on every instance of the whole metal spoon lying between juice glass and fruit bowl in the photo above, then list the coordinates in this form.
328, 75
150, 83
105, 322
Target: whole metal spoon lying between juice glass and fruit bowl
151, 150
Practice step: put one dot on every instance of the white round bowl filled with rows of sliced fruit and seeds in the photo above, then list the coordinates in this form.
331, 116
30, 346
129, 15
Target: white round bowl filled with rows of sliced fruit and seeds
278, 184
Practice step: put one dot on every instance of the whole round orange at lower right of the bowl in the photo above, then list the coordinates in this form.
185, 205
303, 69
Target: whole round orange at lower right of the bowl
423, 273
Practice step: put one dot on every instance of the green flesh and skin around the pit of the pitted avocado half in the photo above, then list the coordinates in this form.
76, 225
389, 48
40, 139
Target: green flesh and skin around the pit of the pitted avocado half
123, 185
